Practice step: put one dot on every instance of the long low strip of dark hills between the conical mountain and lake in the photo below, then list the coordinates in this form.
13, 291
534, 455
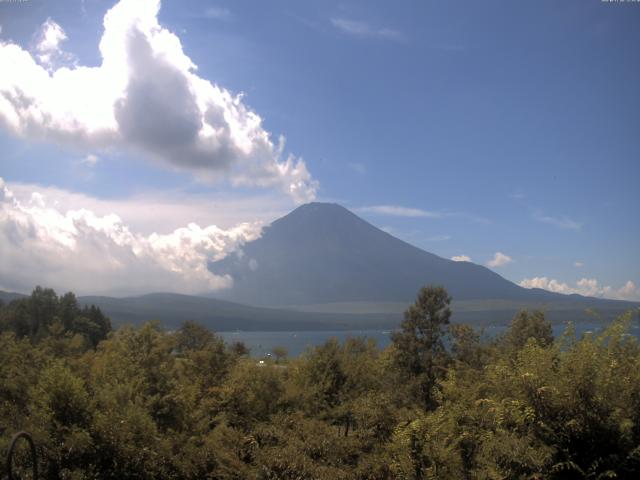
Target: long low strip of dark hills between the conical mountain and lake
173, 309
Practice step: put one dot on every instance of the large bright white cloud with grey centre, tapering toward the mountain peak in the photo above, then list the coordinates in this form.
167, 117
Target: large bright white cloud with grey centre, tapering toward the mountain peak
145, 96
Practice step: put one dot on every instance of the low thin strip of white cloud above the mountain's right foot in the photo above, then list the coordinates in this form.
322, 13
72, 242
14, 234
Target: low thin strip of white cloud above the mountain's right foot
589, 287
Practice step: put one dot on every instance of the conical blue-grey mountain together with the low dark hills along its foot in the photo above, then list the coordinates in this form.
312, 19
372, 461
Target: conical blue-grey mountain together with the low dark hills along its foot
322, 267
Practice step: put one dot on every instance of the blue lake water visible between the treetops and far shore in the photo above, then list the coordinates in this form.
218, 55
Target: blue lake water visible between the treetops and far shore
296, 342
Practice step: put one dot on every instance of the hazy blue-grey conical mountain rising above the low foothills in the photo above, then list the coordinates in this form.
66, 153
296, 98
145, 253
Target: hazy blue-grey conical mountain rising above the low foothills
323, 253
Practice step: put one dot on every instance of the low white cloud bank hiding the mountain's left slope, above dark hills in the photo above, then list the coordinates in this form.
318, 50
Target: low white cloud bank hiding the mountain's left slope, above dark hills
90, 253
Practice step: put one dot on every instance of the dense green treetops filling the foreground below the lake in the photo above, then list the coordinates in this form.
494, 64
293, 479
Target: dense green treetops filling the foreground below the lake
143, 403
